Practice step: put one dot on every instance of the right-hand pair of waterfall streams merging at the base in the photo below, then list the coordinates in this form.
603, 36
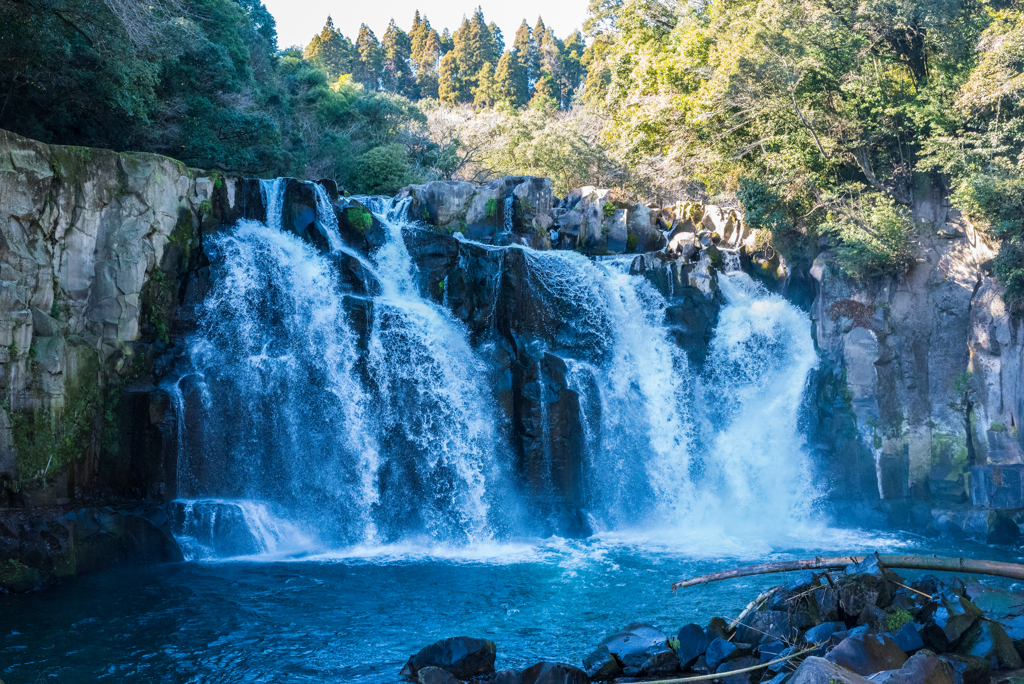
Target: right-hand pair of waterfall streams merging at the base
666, 448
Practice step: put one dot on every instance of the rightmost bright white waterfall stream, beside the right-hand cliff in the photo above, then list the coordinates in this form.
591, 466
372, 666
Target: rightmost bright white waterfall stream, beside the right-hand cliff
757, 370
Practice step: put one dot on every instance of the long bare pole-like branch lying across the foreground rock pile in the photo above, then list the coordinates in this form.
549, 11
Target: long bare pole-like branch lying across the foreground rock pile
933, 564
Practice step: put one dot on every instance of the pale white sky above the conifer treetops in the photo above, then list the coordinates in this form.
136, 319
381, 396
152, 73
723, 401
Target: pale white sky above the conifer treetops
300, 20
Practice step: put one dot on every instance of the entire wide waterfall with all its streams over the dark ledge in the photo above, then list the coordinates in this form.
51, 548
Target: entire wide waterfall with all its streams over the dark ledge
315, 415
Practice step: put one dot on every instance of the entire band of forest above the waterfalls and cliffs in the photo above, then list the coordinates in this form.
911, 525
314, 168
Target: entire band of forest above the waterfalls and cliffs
821, 119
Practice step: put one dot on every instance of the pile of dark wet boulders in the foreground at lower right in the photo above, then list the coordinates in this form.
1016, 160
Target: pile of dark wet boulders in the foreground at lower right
855, 627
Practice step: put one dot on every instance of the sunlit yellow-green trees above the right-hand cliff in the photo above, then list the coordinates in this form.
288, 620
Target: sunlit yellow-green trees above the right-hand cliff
830, 108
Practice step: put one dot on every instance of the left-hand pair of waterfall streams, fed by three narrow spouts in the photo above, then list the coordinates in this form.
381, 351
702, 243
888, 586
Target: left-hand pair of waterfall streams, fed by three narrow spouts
345, 451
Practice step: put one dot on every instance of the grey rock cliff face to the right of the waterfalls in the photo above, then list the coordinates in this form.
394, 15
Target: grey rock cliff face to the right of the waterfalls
921, 399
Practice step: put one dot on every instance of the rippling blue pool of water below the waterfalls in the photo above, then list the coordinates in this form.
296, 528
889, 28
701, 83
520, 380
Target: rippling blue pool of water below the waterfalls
358, 616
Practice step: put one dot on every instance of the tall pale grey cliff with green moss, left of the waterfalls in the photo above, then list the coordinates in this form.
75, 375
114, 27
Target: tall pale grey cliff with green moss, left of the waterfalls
96, 248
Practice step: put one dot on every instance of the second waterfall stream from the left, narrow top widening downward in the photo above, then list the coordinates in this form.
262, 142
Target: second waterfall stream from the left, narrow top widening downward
435, 409
